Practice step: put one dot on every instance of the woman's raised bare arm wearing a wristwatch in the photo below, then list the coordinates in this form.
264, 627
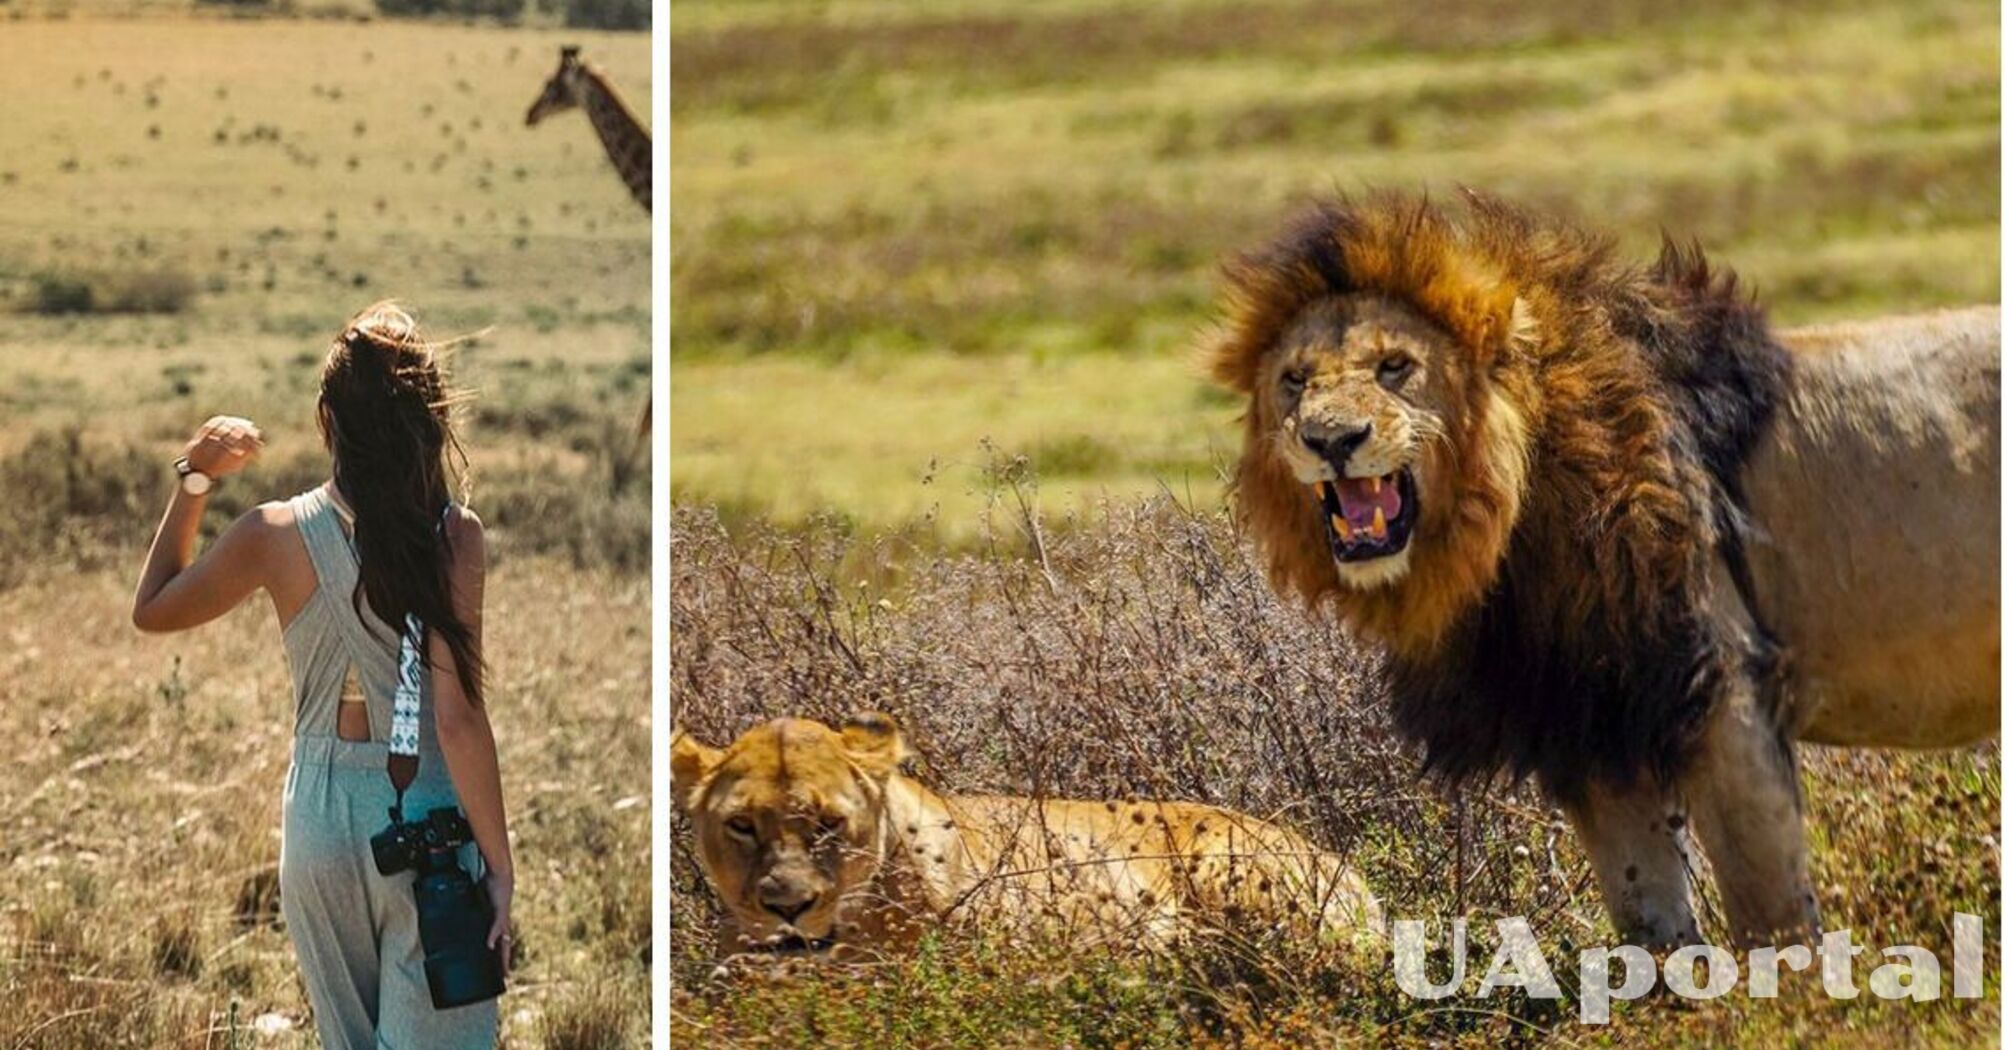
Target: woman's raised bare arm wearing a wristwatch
178, 590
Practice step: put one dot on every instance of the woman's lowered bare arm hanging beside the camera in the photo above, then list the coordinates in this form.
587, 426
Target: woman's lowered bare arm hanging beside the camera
467, 739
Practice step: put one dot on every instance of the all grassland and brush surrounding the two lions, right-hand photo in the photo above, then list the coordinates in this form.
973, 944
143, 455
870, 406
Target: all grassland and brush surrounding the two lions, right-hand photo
942, 450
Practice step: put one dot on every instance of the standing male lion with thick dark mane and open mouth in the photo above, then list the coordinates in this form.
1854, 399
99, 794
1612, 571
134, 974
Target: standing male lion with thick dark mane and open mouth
1615, 532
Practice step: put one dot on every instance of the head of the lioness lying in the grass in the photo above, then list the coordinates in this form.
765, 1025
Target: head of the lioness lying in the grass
789, 822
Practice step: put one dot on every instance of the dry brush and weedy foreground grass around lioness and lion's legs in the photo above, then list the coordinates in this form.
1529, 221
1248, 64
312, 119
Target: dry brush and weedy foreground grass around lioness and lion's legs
1145, 655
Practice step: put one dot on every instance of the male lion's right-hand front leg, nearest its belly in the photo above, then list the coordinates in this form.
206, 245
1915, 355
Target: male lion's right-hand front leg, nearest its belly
1748, 806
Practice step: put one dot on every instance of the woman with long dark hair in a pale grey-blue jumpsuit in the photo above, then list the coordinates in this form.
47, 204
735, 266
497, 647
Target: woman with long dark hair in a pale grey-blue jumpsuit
373, 562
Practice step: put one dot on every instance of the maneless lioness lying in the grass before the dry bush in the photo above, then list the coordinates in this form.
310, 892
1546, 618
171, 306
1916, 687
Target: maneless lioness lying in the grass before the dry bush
817, 844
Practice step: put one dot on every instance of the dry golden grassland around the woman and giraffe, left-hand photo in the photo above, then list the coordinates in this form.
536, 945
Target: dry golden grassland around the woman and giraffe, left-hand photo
188, 212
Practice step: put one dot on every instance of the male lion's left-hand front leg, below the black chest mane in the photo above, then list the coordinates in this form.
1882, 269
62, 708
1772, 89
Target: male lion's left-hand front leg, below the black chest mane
1639, 850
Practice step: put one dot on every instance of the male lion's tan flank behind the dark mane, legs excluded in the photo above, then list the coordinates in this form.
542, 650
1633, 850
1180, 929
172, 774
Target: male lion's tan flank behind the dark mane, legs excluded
1876, 494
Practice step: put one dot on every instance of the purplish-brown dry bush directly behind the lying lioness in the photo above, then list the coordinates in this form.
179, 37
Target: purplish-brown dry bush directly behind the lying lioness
1139, 657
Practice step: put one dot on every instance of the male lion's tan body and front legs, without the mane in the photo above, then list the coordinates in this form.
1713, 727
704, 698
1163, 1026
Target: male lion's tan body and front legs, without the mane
1876, 506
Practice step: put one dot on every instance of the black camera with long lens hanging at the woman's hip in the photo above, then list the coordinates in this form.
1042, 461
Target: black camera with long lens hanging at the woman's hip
453, 912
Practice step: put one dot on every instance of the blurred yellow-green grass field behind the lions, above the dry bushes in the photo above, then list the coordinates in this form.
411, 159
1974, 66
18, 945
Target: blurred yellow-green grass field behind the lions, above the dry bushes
958, 222
